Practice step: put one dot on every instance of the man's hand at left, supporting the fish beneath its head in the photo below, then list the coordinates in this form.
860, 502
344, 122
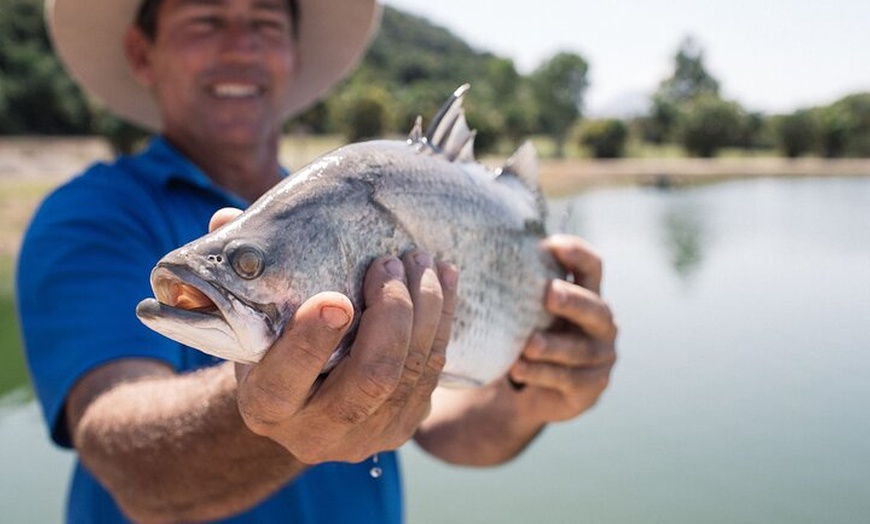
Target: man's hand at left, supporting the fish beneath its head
377, 396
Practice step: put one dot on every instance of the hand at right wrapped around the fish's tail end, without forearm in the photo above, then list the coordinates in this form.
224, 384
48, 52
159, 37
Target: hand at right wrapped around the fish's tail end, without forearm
567, 367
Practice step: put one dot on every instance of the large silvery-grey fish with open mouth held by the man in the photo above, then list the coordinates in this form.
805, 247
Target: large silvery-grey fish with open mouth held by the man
231, 292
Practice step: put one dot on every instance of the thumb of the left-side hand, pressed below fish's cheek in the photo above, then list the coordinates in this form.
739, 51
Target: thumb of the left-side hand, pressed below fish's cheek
281, 382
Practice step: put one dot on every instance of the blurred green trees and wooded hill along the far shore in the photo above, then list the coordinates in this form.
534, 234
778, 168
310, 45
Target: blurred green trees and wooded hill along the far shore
413, 65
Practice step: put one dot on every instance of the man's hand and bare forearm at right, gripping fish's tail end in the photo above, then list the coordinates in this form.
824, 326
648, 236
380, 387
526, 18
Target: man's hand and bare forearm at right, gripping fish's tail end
561, 373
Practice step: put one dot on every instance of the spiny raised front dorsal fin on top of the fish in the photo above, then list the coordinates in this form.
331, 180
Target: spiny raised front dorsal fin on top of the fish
449, 133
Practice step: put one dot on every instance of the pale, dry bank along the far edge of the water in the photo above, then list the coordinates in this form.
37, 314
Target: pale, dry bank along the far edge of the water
32, 166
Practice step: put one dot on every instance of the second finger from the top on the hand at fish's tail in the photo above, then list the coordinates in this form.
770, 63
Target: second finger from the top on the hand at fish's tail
582, 307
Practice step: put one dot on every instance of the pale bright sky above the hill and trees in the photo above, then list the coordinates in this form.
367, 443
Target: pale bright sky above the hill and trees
772, 56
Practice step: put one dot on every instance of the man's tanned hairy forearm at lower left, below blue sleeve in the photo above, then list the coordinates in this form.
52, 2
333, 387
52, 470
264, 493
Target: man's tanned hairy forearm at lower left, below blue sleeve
173, 448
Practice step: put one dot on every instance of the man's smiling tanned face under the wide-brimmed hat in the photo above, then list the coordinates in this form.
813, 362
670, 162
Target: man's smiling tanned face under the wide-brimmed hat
221, 69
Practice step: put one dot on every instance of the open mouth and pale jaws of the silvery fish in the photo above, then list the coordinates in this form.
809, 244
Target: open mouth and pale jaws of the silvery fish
206, 316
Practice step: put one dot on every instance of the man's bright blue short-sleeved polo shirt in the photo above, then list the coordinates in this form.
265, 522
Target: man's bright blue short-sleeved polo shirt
85, 264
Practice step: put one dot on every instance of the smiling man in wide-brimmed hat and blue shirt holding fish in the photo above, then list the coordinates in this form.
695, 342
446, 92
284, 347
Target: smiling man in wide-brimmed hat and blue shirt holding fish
165, 433
